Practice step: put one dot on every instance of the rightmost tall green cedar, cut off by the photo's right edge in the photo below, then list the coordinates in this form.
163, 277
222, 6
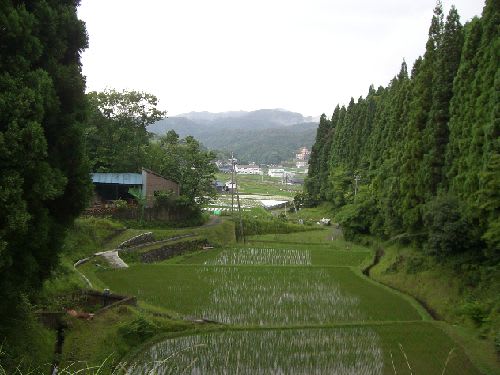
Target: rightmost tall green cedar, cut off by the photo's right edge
473, 156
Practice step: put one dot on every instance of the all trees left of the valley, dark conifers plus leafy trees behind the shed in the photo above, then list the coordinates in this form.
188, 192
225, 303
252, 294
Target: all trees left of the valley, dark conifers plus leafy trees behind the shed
52, 136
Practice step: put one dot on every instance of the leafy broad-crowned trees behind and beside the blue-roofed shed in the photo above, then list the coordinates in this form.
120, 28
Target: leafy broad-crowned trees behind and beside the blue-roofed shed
117, 140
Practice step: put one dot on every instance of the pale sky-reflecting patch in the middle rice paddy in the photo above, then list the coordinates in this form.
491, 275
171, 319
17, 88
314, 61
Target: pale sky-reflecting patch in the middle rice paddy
276, 296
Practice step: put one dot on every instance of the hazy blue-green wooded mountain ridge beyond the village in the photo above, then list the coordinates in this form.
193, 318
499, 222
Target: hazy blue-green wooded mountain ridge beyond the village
262, 136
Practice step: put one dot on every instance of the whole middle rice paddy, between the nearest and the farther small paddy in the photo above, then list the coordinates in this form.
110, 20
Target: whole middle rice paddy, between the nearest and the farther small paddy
265, 295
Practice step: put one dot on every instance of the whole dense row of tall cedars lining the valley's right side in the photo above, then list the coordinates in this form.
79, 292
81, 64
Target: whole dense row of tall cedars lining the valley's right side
424, 151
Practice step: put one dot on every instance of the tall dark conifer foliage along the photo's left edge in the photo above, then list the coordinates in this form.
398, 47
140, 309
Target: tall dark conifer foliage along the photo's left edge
44, 181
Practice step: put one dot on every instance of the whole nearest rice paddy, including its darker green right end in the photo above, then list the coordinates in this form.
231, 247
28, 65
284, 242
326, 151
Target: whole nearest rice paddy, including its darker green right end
412, 348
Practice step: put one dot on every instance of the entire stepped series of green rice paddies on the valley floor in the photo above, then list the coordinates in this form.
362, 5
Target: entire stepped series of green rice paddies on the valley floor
287, 304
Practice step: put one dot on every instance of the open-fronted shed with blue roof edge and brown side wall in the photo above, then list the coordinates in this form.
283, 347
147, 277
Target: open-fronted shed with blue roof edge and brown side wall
113, 186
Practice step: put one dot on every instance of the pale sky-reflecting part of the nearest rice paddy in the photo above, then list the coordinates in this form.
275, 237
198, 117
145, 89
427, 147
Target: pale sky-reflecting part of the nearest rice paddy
339, 351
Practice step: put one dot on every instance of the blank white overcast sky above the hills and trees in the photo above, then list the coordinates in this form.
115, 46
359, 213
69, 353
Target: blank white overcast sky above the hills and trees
220, 55
